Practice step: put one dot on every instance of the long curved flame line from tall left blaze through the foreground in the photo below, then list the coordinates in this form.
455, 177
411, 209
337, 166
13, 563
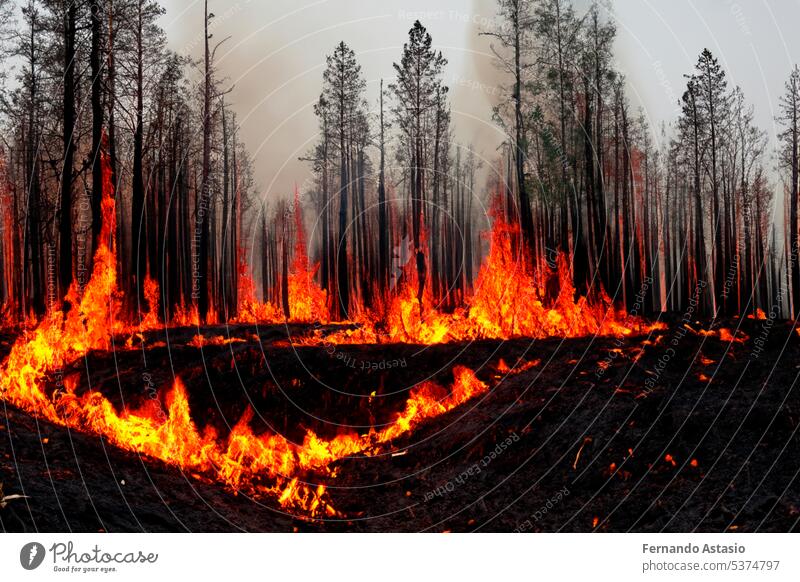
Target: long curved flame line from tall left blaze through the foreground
260, 464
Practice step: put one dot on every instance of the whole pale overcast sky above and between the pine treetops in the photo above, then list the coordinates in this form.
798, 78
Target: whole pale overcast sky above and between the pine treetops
277, 50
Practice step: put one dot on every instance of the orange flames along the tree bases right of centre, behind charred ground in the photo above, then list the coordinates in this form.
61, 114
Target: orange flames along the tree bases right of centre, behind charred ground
508, 302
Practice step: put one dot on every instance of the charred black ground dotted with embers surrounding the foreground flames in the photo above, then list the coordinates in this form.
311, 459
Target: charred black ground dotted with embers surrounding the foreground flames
673, 430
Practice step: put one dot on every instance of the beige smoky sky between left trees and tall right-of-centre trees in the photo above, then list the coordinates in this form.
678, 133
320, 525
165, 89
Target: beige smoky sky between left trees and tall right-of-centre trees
276, 54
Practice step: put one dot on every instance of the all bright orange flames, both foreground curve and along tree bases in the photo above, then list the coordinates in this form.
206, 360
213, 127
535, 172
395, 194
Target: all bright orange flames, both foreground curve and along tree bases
507, 303
